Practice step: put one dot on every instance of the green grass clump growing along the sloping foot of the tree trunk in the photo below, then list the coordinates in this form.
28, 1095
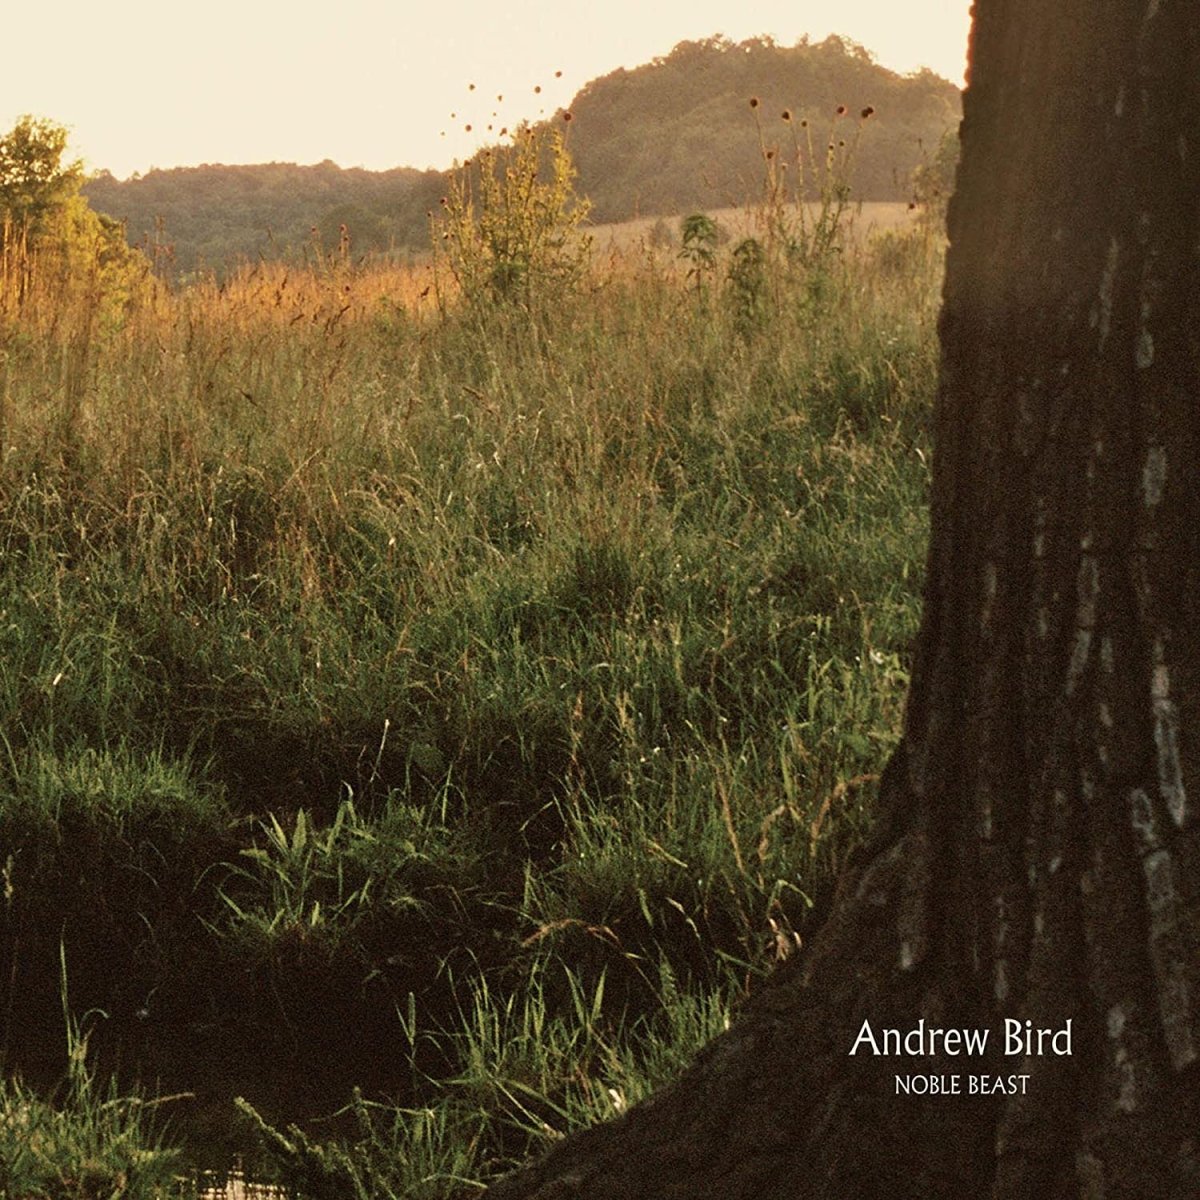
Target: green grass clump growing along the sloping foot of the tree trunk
527, 1069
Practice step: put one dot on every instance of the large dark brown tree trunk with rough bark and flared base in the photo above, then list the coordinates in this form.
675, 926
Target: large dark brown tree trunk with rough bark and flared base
1039, 854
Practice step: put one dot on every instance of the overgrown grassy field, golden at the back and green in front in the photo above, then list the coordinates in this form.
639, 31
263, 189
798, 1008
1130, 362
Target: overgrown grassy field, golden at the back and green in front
433, 709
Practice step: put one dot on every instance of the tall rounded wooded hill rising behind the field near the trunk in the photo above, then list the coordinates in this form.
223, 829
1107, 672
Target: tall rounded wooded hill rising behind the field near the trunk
680, 134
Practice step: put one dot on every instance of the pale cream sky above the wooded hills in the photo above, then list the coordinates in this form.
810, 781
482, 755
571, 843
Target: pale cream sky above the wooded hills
373, 83
